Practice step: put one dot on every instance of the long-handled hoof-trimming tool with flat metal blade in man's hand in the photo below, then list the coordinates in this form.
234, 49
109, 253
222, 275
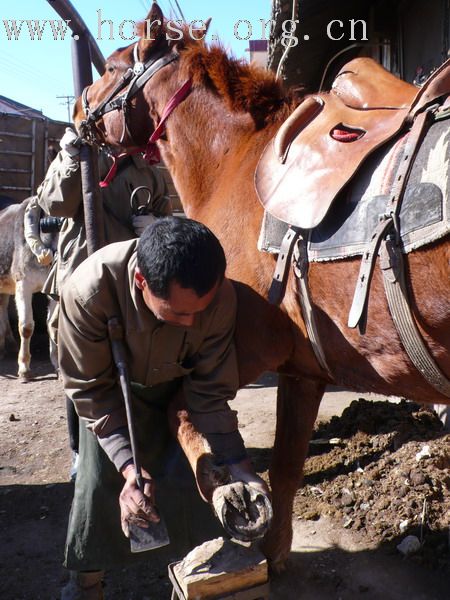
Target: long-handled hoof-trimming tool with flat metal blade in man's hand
155, 535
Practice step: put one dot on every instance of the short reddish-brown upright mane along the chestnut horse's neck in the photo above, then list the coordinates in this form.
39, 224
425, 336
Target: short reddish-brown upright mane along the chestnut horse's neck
244, 87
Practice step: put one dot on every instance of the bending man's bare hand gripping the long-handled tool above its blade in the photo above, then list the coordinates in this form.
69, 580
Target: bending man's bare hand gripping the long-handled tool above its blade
137, 507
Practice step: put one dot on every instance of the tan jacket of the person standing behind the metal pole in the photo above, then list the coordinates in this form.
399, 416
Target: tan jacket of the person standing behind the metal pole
60, 195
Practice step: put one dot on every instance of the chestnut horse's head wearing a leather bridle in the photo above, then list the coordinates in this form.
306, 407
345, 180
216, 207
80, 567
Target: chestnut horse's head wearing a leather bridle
115, 110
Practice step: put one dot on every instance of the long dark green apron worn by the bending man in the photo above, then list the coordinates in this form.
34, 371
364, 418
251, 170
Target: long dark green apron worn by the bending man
95, 540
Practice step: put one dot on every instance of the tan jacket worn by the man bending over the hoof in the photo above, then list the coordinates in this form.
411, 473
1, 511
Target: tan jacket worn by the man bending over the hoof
203, 355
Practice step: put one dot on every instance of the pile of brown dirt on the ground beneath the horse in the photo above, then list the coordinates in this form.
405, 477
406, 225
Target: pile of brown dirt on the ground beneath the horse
382, 470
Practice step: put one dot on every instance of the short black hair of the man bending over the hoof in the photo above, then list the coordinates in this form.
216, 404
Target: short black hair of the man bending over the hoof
181, 250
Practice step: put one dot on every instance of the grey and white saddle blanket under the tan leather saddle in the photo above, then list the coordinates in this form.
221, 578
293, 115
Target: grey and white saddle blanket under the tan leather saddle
347, 228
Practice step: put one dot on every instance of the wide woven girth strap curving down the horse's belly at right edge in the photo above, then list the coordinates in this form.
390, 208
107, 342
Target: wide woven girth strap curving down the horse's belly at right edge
391, 263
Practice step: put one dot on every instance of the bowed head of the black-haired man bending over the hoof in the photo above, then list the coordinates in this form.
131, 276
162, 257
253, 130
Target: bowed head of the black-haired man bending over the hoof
180, 267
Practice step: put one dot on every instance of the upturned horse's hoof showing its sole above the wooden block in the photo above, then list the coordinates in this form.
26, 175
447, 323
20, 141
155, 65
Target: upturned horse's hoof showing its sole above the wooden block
244, 511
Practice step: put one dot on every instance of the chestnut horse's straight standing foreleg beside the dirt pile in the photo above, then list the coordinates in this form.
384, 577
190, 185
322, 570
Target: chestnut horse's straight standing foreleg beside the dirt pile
298, 403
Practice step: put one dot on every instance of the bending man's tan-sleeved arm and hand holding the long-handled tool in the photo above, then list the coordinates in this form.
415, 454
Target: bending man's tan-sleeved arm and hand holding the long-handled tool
90, 380
